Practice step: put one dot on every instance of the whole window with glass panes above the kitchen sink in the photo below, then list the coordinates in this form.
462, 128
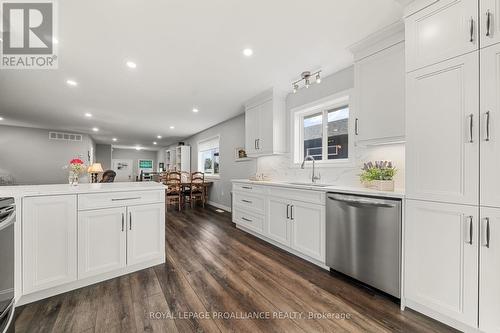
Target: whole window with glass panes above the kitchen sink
322, 132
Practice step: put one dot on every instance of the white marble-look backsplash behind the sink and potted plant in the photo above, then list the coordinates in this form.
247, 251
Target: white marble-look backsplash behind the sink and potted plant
280, 168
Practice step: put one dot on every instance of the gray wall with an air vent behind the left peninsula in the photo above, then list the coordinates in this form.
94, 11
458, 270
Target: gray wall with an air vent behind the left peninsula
27, 155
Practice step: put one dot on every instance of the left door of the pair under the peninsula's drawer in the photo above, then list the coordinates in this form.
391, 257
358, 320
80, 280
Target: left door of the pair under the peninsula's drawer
102, 241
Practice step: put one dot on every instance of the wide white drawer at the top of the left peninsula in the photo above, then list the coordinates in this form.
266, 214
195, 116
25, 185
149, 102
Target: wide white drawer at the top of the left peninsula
119, 199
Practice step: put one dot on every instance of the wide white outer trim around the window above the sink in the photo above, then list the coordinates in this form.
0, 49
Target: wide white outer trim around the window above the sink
331, 101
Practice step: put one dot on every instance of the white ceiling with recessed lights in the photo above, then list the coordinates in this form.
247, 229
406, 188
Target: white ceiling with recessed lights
188, 53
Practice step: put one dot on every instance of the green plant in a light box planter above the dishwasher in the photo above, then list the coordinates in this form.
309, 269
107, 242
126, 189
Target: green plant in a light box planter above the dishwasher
378, 175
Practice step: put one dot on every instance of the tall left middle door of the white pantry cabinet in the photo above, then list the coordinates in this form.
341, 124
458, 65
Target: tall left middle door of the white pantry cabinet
442, 146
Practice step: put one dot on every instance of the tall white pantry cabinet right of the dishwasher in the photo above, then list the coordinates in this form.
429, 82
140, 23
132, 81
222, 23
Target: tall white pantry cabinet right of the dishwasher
452, 225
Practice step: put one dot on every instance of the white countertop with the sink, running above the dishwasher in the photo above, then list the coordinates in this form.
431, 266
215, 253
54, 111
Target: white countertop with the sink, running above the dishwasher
330, 188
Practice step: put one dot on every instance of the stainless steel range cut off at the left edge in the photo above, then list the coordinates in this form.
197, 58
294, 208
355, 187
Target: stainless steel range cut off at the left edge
7, 221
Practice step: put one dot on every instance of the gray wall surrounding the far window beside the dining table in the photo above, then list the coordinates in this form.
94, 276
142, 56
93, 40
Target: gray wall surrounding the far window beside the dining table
232, 136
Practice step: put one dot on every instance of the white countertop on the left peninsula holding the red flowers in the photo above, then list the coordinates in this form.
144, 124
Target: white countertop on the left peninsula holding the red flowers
59, 189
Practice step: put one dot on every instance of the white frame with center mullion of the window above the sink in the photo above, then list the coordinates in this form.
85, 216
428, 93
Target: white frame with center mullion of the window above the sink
323, 105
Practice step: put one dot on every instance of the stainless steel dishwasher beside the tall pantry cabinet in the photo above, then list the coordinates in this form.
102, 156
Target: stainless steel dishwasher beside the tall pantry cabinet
363, 239
